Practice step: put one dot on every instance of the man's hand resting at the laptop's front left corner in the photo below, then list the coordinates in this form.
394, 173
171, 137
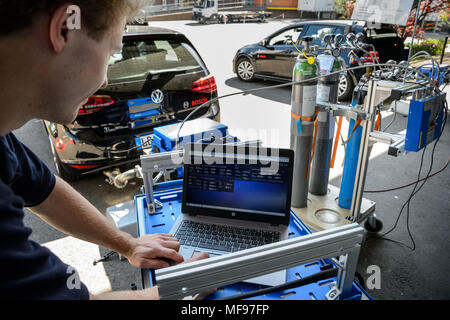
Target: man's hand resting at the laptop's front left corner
153, 251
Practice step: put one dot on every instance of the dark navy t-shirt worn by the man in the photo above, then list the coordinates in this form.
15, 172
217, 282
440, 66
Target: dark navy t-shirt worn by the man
28, 270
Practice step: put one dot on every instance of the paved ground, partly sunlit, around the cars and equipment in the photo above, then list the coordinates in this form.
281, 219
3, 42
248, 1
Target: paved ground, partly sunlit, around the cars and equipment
405, 274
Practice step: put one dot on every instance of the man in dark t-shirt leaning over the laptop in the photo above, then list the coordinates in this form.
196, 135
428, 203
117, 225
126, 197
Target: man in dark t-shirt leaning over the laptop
48, 69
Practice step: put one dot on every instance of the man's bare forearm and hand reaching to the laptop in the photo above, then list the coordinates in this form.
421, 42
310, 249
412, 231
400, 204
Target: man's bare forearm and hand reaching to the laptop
68, 211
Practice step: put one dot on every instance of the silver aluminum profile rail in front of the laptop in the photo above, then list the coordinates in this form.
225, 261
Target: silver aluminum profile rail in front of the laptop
188, 279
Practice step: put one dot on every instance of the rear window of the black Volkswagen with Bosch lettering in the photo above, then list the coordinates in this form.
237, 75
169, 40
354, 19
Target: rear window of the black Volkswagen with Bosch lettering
138, 58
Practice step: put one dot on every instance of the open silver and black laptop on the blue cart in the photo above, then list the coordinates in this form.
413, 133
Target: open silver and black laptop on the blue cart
234, 198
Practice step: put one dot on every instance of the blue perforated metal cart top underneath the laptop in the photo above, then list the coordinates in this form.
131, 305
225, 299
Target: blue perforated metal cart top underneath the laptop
170, 195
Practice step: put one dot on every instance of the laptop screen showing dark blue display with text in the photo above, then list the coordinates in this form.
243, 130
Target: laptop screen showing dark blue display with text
240, 184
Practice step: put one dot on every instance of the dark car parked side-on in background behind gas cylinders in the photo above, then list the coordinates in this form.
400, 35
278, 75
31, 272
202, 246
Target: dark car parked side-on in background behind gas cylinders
274, 57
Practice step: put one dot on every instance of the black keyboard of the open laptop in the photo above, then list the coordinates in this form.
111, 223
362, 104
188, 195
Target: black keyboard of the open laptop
222, 238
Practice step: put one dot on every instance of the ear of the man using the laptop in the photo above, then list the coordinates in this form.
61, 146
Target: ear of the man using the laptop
58, 28
